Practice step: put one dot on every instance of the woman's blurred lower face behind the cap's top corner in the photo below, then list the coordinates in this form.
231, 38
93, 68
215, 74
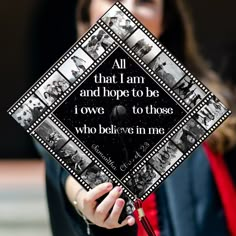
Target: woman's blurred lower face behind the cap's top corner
148, 12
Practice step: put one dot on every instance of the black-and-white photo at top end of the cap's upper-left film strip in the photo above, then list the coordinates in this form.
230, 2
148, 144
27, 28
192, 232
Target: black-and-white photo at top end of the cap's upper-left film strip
97, 44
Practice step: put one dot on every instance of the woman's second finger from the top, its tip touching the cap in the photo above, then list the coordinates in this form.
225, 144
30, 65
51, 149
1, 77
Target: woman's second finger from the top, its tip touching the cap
104, 207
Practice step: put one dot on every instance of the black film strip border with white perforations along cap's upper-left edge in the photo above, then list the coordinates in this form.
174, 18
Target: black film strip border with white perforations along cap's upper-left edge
33, 93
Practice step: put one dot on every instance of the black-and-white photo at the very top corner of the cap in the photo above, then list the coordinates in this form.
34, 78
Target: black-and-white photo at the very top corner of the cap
118, 22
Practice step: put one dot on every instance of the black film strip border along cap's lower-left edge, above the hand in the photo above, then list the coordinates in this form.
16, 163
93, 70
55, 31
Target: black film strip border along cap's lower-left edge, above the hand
52, 121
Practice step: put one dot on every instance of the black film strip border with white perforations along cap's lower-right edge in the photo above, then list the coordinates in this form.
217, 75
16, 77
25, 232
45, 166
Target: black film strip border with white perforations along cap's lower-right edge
184, 155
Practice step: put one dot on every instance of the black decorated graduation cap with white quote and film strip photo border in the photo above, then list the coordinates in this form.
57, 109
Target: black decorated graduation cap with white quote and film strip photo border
120, 111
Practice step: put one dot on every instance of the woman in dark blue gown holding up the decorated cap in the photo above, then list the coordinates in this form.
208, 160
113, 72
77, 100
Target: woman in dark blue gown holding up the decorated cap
188, 202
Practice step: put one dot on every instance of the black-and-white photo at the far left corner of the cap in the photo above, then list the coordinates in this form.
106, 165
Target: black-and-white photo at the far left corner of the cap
29, 111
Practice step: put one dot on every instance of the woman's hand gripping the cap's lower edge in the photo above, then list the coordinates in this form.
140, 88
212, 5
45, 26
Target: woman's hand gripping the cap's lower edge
99, 213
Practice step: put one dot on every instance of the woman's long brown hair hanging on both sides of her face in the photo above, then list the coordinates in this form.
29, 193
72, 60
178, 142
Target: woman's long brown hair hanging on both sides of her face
178, 37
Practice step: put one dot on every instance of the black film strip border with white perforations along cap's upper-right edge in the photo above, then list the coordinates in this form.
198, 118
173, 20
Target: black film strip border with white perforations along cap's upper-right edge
162, 50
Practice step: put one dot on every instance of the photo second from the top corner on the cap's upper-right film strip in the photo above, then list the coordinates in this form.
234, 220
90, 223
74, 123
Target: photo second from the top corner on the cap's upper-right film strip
143, 46
